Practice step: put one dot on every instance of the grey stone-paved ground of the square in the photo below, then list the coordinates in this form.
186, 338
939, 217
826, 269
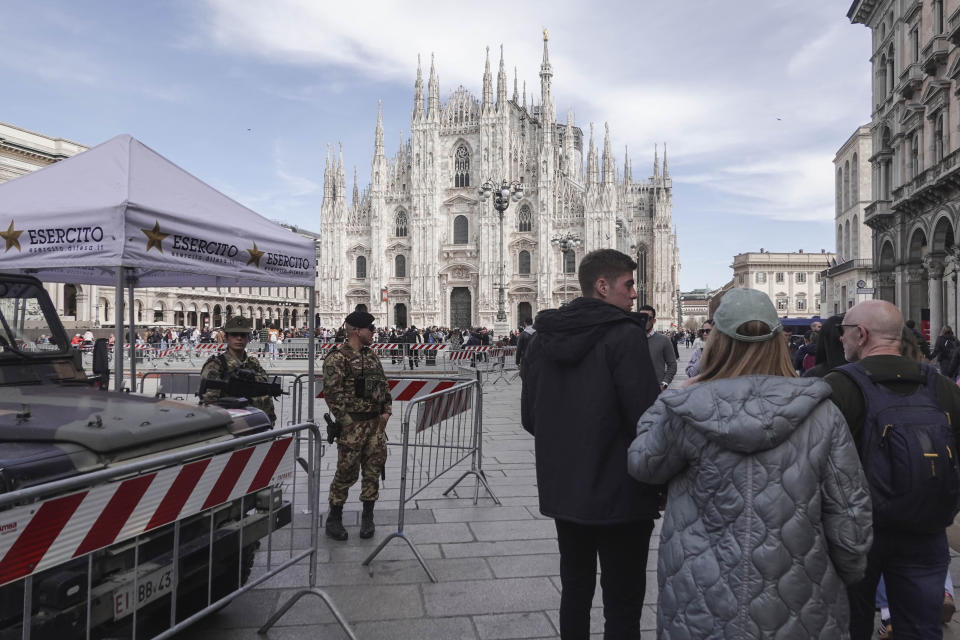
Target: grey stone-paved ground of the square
498, 566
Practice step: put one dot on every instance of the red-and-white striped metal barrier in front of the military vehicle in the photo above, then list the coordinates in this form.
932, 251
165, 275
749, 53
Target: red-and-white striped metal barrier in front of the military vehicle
147, 548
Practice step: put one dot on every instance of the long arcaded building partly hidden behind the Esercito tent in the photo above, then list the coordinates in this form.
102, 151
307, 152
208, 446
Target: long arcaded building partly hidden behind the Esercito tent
82, 305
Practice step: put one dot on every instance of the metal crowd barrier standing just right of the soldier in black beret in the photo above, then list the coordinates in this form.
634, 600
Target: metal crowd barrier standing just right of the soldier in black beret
445, 430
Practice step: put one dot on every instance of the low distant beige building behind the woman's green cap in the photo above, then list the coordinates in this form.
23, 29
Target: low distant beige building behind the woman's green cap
790, 280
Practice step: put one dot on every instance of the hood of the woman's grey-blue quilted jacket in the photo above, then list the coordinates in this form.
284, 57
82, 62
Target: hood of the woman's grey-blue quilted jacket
749, 413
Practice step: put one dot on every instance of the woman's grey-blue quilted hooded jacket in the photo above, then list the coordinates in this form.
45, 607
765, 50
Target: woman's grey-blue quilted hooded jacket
768, 511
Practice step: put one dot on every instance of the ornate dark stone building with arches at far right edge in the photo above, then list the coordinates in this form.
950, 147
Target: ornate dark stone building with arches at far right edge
914, 207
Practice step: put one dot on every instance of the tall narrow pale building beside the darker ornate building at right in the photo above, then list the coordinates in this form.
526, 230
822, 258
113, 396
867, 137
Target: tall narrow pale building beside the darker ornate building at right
850, 280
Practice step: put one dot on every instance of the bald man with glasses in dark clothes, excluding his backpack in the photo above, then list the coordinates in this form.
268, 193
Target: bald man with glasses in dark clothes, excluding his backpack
914, 565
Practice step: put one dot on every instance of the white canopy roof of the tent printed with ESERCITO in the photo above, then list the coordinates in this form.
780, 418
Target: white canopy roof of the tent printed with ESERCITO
121, 204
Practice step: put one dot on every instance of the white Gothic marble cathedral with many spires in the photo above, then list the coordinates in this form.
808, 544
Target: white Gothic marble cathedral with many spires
419, 246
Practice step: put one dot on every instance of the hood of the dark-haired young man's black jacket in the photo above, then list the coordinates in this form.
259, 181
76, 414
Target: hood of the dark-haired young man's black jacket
568, 333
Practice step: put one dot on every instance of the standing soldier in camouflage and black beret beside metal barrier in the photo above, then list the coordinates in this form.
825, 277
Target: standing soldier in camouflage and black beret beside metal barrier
357, 393
